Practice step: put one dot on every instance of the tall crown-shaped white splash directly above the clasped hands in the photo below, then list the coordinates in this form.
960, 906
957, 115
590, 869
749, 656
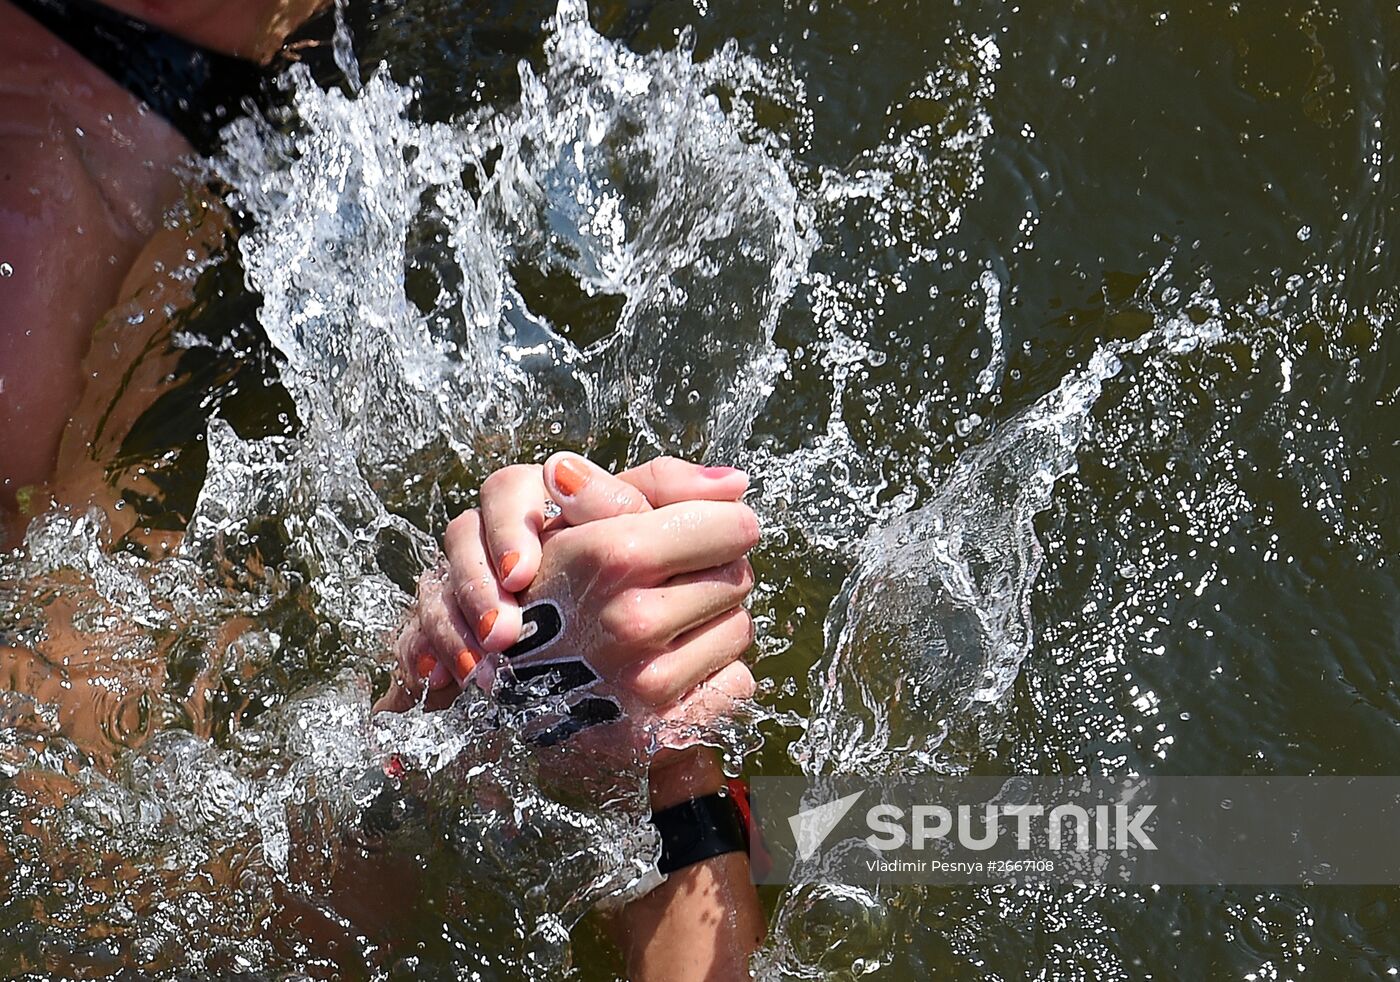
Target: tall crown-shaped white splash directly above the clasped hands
617, 170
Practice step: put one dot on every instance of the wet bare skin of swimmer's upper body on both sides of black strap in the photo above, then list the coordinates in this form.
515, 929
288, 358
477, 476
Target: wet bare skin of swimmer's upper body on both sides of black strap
86, 177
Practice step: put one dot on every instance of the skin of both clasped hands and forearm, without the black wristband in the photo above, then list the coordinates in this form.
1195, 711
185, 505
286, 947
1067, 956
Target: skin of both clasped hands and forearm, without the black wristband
667, 597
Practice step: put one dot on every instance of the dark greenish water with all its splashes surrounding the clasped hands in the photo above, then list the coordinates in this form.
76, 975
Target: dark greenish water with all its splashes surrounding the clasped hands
1058, 337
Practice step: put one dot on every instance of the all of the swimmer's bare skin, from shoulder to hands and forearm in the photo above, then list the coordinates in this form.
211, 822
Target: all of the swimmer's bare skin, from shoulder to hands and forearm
87, 180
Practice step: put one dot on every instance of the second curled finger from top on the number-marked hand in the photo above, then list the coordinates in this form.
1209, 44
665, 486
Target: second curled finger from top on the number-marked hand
653, 617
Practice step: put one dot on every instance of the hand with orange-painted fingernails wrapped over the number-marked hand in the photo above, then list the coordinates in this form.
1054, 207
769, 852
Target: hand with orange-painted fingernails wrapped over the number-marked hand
468, 607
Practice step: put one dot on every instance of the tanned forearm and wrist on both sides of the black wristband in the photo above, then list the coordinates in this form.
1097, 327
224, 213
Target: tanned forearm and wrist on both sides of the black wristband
705, 921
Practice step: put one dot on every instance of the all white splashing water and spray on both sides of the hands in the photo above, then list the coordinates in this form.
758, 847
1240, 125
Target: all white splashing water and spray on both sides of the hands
411, 278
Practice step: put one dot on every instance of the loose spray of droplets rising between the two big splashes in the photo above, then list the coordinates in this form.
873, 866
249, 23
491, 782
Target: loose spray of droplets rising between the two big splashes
884, 219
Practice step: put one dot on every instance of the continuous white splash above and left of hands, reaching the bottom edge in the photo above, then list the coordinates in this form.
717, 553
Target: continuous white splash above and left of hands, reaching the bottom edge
398, 268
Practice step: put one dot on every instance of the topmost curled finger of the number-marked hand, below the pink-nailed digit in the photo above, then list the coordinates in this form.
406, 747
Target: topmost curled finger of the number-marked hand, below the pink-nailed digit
652, 548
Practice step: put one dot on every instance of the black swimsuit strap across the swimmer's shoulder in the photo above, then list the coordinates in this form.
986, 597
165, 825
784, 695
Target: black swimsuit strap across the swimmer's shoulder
199, 92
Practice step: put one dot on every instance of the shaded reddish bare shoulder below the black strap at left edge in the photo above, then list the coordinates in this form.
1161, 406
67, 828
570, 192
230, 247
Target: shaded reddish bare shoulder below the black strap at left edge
86, 174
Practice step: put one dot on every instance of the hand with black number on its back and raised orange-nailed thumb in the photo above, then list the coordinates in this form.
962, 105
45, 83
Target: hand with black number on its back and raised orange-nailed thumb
650, 602
